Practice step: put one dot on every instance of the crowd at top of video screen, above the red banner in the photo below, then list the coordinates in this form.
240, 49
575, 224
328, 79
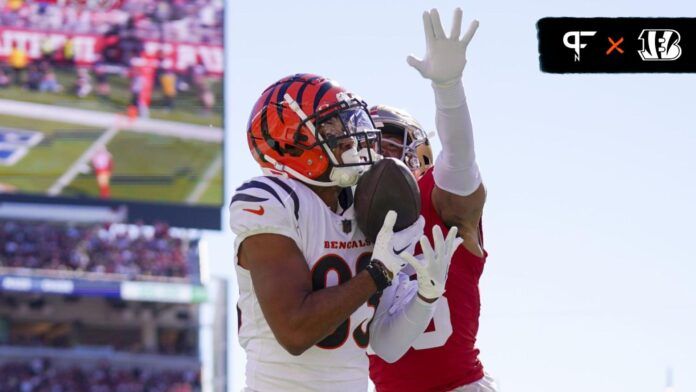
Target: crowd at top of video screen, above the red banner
192, 21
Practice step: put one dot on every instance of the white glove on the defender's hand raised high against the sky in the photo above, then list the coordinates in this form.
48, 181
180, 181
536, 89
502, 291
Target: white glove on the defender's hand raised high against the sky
445, 58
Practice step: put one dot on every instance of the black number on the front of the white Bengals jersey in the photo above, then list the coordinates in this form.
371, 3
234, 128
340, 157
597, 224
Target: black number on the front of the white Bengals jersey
336, 264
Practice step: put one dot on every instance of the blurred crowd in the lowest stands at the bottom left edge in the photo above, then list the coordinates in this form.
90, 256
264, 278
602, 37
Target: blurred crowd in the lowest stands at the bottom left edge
39, 375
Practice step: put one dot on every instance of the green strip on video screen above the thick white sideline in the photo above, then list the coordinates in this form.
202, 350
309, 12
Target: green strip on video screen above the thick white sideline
186, 105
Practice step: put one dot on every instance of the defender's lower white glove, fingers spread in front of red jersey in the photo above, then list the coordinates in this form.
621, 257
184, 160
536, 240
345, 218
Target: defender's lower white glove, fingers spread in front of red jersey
432, 272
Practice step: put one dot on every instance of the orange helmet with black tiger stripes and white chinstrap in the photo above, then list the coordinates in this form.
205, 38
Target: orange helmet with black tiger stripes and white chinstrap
286, 131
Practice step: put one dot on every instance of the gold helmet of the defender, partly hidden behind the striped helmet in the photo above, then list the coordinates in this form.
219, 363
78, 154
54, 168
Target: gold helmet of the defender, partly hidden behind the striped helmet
415, 146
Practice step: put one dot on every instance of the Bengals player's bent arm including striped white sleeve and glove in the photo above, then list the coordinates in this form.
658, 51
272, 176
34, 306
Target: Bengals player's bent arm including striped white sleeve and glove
267, 246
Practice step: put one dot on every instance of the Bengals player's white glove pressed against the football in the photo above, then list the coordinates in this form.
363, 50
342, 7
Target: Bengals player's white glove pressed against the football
390, 247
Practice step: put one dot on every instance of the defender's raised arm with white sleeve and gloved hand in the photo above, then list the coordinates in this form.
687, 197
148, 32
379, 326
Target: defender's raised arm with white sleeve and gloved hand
459, 194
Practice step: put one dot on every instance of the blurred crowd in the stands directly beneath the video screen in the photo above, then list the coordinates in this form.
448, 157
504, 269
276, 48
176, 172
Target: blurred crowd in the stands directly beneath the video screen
133, 251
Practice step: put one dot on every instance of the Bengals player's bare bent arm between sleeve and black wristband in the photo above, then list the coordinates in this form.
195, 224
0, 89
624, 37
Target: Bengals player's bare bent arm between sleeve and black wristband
298, 316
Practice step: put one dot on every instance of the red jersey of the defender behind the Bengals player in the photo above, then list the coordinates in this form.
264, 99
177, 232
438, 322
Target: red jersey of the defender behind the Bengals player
444, 357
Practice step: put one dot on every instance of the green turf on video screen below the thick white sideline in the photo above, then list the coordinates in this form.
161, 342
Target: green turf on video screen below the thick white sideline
146, 167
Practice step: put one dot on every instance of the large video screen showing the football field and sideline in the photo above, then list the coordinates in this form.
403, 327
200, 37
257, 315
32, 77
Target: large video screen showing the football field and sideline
113, 102
